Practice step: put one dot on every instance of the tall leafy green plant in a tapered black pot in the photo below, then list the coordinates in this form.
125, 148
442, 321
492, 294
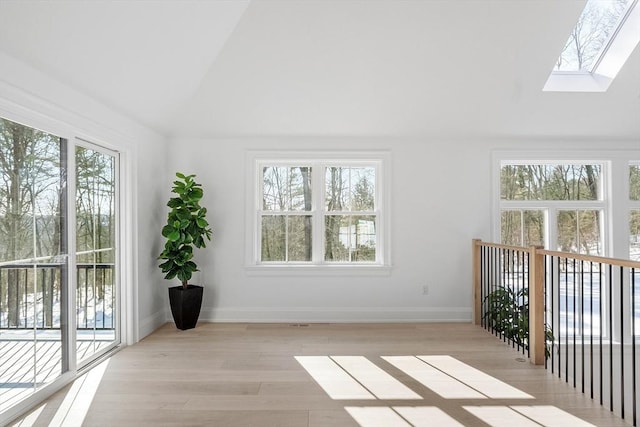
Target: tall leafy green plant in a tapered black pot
186, 228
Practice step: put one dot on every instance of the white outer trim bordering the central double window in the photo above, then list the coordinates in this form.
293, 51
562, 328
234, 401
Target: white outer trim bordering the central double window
254, 161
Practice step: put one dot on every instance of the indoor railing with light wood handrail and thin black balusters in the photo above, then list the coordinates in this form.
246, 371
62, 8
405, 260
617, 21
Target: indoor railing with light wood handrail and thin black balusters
579, 315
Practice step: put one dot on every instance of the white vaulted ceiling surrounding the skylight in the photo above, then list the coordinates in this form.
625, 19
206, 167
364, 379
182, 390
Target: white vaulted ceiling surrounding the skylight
446, 68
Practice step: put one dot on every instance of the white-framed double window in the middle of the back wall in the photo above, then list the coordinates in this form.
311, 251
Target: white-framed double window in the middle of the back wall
318, 209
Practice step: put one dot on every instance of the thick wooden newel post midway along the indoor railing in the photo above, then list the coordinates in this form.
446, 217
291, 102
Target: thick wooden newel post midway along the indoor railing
536, 306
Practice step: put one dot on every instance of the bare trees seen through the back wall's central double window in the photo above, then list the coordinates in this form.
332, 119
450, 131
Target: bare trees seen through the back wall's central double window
347, 214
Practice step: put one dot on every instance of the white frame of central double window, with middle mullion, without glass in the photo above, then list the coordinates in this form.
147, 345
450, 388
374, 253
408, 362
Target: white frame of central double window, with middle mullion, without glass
318, 161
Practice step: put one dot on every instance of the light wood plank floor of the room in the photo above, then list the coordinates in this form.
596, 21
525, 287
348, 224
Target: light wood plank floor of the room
221, 374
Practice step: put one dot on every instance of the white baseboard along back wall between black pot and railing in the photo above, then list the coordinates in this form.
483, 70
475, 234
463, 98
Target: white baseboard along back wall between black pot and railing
343, 314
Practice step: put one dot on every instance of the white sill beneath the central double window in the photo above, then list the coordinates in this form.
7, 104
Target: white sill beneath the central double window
318, 270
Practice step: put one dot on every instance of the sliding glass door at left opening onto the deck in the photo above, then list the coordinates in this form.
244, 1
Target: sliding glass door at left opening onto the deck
51, 302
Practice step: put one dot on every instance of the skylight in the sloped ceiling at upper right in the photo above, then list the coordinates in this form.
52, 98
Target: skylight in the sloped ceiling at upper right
602, 40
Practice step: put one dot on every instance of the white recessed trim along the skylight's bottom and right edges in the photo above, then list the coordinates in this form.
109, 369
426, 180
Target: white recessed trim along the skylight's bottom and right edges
608, 66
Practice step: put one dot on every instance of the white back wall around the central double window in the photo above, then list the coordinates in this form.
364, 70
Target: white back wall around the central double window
440, 198
